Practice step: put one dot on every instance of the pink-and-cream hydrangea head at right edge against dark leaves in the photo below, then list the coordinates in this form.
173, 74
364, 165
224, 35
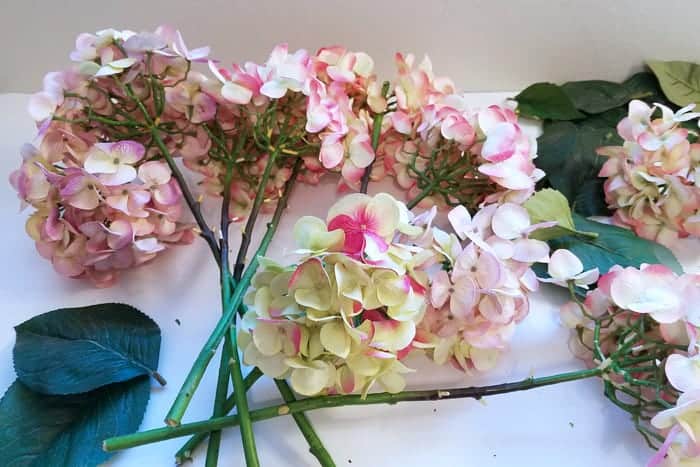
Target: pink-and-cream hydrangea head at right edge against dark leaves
652, 179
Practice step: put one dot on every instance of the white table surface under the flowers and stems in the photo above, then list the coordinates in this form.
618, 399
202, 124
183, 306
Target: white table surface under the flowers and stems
566, 425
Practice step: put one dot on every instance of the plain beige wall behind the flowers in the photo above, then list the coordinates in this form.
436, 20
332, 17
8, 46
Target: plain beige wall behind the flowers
483, 45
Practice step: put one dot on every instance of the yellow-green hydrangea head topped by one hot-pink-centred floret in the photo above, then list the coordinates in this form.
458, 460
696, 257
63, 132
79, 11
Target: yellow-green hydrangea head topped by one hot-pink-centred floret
344, 317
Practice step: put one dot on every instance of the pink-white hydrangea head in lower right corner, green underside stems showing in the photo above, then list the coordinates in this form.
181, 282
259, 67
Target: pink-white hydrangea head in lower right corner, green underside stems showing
642, 326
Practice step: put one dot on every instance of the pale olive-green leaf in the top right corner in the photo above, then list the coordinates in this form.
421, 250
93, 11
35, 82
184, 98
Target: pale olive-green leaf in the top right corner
680, 81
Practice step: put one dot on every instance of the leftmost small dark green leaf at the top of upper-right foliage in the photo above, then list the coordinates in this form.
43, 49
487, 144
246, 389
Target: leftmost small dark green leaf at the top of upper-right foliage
546, 101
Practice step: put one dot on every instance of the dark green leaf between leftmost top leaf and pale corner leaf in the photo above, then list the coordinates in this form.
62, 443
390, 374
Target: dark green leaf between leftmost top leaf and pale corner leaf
596, 96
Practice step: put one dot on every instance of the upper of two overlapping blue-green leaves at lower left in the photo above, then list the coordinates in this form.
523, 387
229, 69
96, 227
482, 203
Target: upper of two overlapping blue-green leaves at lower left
74, 350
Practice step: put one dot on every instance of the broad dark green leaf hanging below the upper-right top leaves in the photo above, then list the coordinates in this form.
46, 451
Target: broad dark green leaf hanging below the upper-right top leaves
568, 156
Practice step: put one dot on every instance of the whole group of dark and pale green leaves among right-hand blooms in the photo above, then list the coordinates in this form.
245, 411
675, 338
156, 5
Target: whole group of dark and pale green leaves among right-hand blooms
577, 118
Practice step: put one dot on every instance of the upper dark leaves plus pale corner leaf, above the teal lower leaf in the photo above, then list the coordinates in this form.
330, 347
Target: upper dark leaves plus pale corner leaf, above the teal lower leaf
580, 116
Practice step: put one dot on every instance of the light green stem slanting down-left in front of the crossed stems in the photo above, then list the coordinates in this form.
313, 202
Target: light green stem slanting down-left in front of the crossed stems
195, 374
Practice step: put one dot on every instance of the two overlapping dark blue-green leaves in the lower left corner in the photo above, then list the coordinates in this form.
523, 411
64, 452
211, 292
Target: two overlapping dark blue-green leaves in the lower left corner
83, 375
